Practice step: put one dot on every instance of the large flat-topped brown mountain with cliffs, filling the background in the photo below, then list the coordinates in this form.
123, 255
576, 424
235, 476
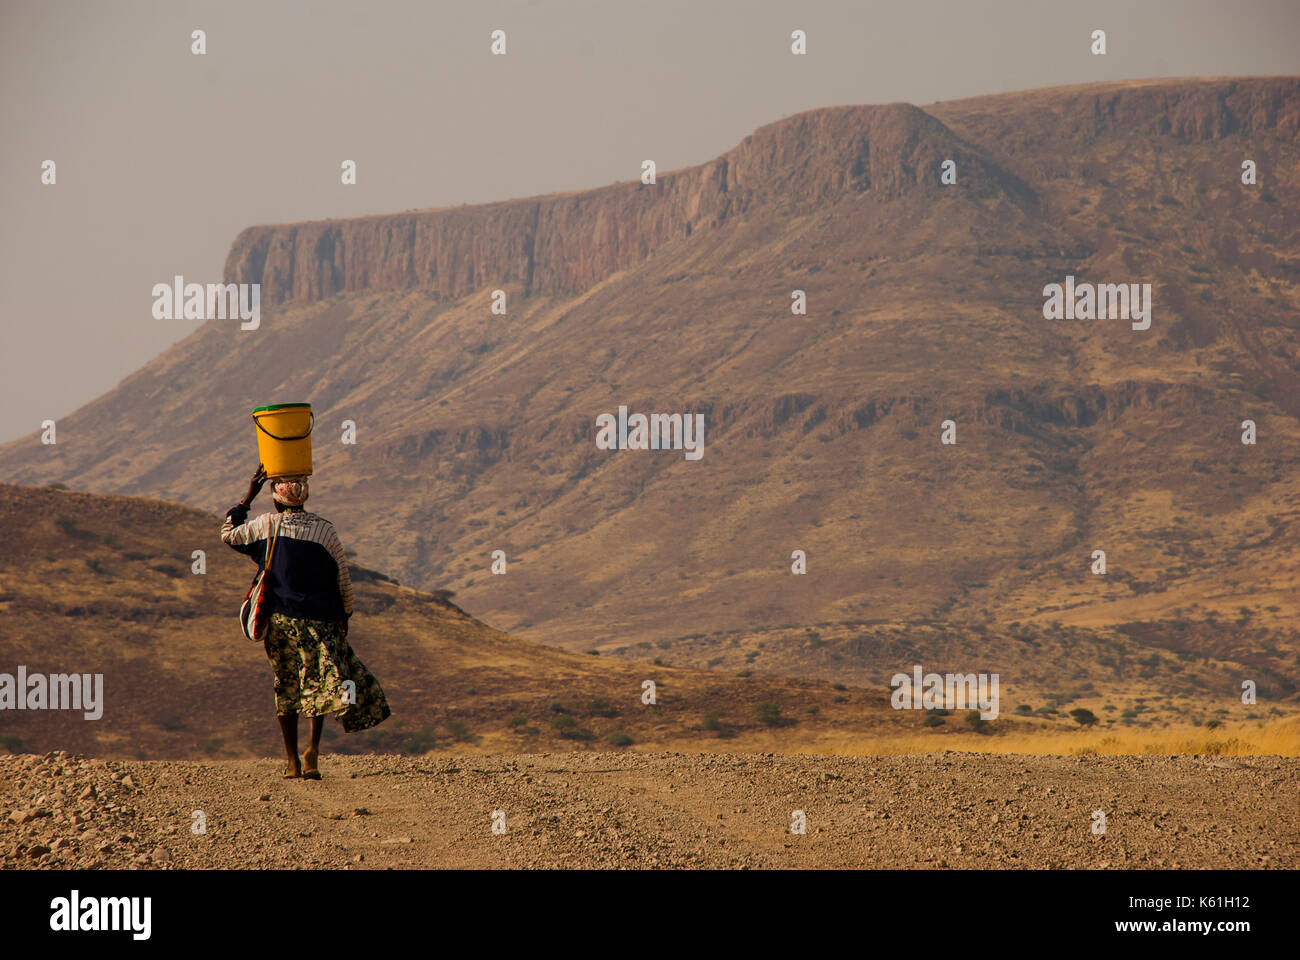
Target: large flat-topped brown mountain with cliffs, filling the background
476, 433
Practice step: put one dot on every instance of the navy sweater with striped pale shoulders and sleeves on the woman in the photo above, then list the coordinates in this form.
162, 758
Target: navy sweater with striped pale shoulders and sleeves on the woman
309, 573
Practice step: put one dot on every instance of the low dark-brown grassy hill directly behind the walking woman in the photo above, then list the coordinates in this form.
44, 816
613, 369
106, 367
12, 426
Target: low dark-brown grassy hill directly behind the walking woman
97, 585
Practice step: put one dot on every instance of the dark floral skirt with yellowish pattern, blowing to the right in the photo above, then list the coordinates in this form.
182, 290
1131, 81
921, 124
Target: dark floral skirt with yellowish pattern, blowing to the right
318, 673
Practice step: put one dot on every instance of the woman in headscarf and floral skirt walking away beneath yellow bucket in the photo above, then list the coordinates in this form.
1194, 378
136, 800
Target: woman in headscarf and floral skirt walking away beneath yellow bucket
310, 602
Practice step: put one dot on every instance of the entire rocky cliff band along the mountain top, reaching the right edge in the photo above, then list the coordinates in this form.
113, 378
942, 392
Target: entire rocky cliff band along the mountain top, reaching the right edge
567, 244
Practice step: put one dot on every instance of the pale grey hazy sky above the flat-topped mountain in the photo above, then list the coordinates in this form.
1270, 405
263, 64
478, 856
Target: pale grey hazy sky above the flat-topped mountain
164, 157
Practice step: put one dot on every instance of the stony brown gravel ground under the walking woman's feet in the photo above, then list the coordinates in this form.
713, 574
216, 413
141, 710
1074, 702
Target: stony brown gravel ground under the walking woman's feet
636, 811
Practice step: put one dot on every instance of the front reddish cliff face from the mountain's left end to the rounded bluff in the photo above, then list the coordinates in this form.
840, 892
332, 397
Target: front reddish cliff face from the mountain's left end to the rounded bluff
567, 244
